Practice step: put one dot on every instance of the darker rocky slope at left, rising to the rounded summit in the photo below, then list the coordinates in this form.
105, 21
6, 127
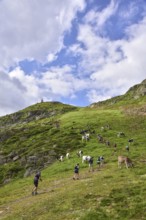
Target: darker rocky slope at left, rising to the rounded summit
31, 139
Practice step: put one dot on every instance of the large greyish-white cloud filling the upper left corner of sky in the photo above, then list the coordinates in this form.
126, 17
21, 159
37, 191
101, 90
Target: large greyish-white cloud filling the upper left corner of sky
33, 29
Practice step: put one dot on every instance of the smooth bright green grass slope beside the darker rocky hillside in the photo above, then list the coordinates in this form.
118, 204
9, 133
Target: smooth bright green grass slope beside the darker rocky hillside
108, 193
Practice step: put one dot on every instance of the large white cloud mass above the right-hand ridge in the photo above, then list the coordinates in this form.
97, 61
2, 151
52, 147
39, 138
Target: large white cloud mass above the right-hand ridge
112, 66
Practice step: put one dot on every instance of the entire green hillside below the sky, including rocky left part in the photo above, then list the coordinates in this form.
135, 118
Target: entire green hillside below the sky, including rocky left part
45, 131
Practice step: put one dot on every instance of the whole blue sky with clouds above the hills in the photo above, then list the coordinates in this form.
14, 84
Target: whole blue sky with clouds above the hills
77, 52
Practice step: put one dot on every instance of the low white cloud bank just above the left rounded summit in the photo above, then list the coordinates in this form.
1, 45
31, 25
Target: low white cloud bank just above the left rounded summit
18, 90
